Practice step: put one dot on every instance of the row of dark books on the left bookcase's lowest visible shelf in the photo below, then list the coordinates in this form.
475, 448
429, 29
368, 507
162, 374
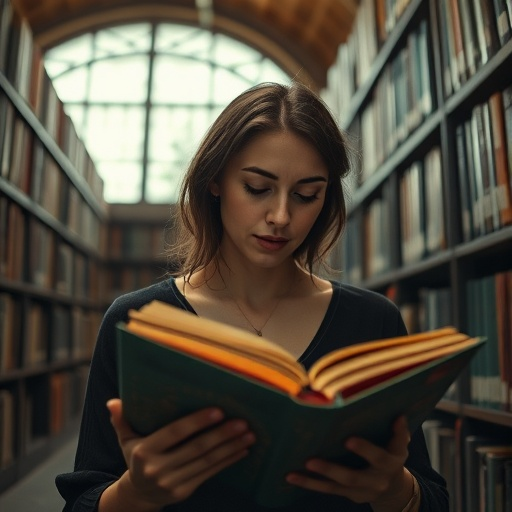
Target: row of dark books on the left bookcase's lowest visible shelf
61, 391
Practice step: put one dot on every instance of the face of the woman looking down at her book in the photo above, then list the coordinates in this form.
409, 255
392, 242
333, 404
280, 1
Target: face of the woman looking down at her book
270, 196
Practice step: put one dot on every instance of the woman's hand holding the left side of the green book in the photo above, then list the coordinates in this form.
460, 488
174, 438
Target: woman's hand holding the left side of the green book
167, 466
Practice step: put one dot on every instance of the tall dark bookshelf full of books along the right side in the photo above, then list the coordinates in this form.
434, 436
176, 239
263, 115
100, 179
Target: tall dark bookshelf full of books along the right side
424, 92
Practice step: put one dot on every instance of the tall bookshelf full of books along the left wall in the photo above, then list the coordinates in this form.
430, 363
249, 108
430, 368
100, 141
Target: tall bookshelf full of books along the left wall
52, 228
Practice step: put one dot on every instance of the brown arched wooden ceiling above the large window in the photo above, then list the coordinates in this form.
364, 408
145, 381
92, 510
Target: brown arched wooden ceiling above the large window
300, 35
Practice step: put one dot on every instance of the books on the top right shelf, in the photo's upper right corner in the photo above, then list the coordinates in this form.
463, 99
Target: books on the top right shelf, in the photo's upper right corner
471, 32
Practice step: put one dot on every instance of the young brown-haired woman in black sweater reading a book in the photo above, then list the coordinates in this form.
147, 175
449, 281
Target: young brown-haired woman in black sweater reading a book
261, 205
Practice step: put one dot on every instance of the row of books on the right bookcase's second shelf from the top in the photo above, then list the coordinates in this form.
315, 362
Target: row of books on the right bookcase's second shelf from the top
484, 156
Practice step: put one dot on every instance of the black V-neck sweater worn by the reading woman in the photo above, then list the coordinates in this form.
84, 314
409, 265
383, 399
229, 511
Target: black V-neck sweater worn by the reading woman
354, 315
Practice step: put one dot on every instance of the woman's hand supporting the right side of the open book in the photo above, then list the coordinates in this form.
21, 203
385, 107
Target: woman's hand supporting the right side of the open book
384, 483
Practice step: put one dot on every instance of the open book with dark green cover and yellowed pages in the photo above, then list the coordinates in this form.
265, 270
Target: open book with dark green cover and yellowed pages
172, 362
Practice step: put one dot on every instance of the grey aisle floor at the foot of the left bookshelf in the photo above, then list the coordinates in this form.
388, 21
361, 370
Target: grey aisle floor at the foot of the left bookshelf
37, 491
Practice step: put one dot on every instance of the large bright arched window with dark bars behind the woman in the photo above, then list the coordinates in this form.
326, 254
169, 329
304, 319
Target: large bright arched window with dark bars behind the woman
142, 95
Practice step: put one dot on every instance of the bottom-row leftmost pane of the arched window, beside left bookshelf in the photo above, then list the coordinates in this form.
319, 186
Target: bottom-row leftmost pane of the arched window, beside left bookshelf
123, 181
